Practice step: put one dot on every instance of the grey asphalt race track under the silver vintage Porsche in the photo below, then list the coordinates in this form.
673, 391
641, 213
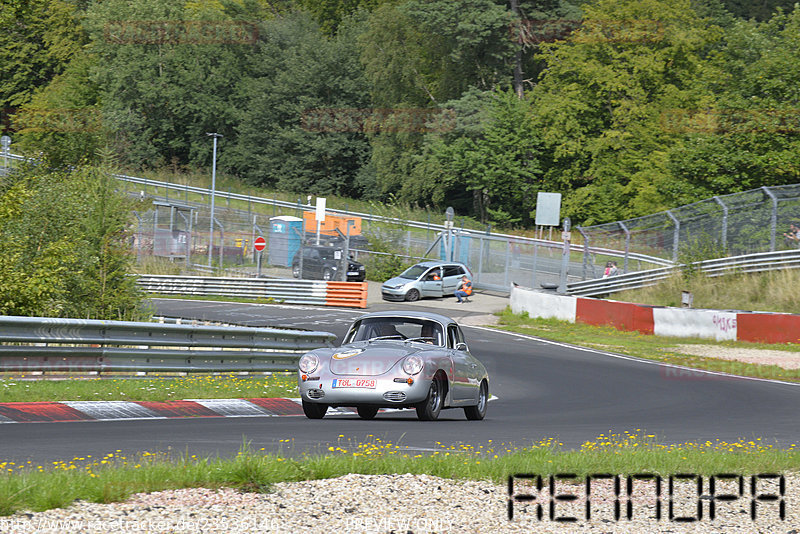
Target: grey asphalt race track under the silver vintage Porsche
544, 390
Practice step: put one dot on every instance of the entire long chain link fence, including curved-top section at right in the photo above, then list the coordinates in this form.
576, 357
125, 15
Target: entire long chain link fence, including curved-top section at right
177, 227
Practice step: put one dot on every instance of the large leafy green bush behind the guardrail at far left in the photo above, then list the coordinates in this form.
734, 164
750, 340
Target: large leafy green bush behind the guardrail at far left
64, 244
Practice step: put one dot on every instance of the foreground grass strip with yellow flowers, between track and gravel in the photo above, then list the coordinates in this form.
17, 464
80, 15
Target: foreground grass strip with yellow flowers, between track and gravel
114, 477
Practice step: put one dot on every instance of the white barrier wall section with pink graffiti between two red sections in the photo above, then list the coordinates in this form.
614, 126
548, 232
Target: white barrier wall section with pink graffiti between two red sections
708, 324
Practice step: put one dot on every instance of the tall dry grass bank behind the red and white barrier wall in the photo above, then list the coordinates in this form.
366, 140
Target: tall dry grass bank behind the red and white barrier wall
770, 291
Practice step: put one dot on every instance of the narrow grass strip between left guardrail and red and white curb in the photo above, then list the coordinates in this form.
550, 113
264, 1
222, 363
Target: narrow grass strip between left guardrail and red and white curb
149, 389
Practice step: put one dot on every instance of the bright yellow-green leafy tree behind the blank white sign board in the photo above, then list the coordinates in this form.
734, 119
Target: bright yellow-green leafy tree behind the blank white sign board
600, 104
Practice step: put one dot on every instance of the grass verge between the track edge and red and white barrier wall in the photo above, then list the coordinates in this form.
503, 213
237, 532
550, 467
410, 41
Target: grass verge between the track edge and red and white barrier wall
658, 348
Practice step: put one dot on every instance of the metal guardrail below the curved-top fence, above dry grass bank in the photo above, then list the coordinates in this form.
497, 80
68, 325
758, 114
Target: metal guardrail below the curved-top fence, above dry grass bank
748, 263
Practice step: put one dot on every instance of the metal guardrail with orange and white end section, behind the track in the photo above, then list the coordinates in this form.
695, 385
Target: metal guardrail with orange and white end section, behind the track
285, 291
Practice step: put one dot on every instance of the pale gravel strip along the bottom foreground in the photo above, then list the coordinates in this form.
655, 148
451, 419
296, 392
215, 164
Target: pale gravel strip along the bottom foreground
411, 503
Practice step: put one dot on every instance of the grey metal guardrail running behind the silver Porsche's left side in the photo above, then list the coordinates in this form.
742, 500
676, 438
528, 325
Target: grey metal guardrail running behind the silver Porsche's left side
76, 345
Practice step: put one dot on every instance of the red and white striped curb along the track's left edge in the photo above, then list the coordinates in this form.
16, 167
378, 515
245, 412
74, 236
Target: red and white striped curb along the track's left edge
42, 412
